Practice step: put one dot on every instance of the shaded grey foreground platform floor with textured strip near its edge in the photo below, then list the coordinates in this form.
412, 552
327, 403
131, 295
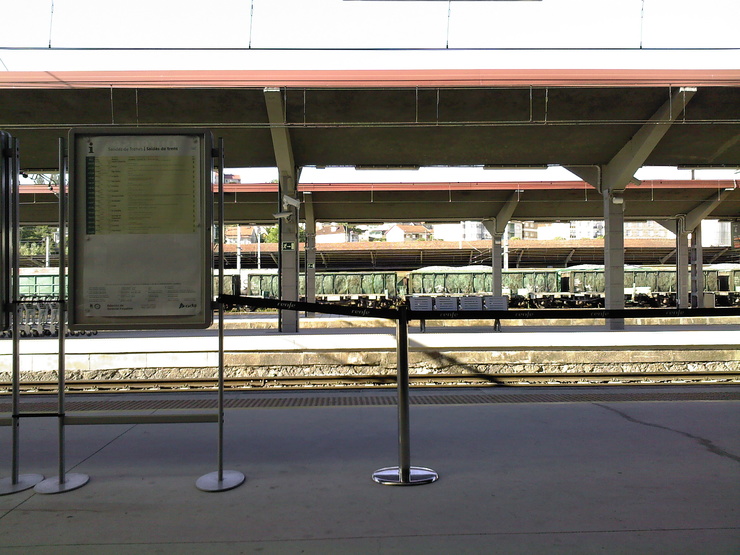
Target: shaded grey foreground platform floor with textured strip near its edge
522, 470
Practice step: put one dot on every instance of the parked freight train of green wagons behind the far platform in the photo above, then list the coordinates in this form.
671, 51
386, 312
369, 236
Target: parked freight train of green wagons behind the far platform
575, 286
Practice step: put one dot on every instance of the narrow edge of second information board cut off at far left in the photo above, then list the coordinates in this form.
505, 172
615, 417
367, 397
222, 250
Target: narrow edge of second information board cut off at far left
6, 163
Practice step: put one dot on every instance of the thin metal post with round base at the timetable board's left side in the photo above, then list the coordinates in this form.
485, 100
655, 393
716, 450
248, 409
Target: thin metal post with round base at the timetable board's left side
65, 481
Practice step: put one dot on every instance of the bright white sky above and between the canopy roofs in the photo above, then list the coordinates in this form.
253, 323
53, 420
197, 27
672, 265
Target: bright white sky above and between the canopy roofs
57, 35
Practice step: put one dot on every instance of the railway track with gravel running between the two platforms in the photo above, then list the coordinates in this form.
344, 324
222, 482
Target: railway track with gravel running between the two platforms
379, 381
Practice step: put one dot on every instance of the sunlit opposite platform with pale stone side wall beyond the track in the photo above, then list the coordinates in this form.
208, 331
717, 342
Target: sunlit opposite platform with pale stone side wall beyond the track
358, 347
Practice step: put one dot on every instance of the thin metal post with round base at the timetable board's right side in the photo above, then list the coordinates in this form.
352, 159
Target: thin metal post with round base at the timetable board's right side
220, 480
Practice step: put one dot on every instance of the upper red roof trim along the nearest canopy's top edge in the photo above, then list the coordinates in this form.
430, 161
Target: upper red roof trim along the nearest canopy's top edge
370, 78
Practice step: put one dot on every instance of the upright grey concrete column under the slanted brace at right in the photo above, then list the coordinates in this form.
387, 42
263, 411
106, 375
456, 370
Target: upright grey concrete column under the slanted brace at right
614, 257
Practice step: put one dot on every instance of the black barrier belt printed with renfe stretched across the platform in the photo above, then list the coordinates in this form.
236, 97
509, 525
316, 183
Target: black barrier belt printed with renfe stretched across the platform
526, 314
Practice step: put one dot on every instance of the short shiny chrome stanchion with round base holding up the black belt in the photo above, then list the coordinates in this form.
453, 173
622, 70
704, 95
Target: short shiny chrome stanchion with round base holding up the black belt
404, 474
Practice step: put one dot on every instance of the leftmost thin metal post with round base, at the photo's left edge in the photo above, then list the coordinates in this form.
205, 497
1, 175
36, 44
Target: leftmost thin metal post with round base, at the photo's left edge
16, 482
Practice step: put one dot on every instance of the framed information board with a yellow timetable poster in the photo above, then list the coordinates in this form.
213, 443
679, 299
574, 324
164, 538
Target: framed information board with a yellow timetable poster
141, 252
